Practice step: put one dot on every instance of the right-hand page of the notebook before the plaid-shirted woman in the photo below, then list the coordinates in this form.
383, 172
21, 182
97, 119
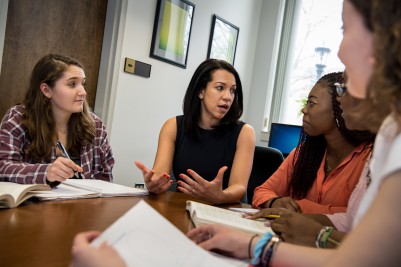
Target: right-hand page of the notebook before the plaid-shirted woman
106, 189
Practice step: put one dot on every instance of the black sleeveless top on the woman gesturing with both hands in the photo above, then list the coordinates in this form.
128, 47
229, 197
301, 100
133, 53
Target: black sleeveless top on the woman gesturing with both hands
215, 149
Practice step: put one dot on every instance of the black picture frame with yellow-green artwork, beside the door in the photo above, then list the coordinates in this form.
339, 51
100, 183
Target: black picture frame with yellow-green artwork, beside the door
172, 31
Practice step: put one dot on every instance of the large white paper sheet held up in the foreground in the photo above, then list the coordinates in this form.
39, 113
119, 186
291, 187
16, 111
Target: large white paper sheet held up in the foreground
143, 237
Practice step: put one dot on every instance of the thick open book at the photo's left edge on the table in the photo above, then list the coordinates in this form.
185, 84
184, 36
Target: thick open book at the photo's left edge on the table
13, 194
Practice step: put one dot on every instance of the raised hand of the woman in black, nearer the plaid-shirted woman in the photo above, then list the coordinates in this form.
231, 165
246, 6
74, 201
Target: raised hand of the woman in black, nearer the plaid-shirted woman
155, 183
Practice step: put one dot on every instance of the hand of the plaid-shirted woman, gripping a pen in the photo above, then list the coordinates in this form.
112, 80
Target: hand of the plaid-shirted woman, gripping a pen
62, 169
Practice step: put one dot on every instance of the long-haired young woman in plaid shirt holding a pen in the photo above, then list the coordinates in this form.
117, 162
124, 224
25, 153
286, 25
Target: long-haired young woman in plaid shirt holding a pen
54, 110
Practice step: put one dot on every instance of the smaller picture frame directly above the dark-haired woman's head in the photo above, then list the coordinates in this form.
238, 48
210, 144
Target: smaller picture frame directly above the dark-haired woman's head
223, 40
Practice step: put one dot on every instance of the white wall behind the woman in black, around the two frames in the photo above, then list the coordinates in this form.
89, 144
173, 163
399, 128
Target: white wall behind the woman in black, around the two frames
142, 105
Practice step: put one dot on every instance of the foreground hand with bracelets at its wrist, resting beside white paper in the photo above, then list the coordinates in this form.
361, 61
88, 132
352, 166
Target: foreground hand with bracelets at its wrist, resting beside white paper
217, 237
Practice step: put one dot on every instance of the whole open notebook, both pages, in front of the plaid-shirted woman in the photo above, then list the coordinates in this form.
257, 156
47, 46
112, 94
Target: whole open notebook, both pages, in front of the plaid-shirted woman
89, 188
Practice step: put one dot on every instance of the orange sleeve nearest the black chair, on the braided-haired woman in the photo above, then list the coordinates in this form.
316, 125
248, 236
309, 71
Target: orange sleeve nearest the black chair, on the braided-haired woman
275, 185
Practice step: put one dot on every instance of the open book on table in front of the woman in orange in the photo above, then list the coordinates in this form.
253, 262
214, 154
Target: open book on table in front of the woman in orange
207, 214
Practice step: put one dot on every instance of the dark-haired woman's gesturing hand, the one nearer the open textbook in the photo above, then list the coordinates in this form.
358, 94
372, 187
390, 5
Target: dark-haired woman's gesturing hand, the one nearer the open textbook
202, 189
